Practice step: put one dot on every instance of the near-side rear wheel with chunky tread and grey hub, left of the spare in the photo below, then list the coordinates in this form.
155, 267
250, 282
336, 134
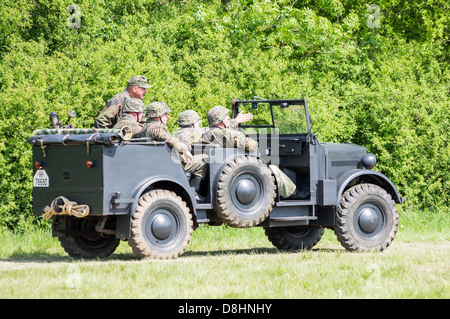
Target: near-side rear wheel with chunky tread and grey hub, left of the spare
161, 226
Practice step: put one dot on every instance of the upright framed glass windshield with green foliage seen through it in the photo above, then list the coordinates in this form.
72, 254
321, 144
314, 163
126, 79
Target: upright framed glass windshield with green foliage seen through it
287, 120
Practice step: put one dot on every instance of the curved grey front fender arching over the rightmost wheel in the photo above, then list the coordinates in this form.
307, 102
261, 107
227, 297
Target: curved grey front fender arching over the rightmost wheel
358, 176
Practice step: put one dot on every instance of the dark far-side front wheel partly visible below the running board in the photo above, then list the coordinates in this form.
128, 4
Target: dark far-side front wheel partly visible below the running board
294, 237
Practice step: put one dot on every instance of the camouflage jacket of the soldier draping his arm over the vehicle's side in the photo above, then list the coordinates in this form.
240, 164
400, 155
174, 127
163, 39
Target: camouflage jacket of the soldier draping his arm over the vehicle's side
160, 133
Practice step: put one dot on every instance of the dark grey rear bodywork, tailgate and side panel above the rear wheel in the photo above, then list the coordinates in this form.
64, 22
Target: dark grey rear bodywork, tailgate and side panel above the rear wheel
114, 184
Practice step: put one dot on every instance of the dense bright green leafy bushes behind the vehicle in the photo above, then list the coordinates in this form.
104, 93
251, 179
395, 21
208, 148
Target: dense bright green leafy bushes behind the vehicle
386, 87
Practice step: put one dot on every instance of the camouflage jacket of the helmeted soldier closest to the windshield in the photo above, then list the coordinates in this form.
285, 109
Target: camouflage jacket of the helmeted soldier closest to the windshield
230, 138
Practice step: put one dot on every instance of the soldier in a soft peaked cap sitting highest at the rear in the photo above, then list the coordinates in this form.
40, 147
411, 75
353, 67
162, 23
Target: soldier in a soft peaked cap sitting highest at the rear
136, 88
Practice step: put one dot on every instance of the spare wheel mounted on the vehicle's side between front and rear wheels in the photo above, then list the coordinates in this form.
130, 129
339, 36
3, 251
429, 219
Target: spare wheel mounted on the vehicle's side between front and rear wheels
245, 193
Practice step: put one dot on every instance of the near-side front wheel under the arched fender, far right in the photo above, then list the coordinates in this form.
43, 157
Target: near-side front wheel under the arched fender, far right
366, 219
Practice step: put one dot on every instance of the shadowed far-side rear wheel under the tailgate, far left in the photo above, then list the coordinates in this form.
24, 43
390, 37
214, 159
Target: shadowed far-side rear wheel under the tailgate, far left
83, 241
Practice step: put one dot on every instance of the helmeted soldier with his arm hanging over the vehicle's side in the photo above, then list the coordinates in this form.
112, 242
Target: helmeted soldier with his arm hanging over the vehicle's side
157, 115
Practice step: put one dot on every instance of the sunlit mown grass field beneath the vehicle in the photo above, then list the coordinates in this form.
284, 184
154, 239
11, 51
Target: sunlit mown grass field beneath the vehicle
223, 262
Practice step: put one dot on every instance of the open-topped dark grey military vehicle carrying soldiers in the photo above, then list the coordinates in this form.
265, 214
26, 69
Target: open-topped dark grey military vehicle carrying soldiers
101, 186
